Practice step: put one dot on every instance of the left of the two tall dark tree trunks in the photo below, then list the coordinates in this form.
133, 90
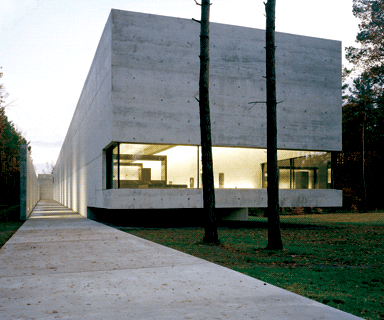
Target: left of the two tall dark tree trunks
205, 130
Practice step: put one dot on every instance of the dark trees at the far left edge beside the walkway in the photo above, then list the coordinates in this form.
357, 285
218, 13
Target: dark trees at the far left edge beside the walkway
10, 141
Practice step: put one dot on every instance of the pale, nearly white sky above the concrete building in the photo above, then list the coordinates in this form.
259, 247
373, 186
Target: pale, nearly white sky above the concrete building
47, 47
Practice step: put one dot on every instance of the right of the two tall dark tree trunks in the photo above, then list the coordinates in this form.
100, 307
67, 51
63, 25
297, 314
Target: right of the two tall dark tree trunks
274, 234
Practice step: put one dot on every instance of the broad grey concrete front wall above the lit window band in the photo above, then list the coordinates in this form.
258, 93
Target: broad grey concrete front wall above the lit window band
156, 74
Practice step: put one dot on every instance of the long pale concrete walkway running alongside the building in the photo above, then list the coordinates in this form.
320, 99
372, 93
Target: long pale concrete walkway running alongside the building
61, 265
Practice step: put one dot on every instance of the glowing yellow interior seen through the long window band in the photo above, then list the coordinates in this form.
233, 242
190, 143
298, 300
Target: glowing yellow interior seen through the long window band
179, 166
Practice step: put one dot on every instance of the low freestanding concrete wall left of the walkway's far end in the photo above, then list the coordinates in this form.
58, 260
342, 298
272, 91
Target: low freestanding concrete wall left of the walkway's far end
29, 188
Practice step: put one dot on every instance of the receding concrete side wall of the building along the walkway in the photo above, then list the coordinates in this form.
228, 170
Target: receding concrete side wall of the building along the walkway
78, 171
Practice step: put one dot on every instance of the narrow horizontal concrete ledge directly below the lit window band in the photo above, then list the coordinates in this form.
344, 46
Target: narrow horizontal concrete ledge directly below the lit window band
225, 198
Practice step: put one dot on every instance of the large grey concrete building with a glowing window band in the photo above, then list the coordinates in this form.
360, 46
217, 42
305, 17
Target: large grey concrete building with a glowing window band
133, 142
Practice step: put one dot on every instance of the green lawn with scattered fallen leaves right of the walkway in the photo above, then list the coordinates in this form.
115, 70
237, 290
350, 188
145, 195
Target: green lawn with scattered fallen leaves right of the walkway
336, 259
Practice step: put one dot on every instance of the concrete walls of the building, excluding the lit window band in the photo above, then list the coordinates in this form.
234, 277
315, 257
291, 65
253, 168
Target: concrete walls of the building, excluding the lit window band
142, 85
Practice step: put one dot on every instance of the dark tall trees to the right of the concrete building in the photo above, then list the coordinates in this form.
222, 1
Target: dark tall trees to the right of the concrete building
359, 168
